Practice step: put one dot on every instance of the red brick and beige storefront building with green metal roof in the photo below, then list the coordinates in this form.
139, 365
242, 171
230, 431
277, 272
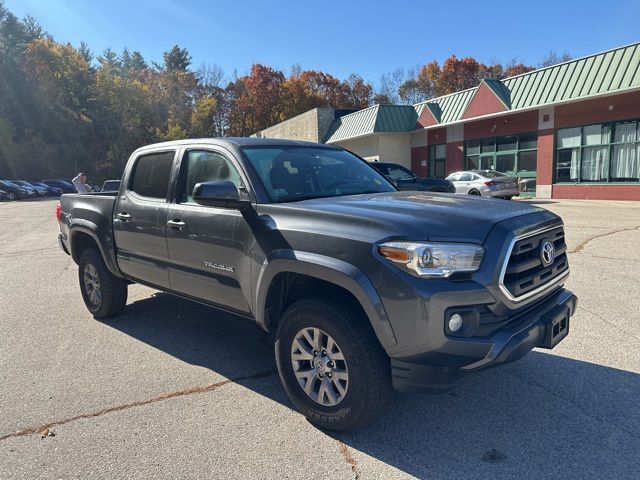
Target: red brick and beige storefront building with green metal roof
573, 128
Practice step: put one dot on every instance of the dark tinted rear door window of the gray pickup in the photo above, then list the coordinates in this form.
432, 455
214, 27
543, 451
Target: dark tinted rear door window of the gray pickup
151, 175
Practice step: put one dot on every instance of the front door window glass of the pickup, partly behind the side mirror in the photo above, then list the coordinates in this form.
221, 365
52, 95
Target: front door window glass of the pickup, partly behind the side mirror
205, 166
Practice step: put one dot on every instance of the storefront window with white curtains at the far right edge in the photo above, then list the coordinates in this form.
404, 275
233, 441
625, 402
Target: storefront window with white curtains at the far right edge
604, 152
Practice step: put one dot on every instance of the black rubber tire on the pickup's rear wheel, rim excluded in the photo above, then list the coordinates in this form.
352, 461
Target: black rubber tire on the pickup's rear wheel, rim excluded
112, 290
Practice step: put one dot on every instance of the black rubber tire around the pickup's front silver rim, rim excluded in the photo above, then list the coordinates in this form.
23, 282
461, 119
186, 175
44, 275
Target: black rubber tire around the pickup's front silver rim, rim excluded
369, 388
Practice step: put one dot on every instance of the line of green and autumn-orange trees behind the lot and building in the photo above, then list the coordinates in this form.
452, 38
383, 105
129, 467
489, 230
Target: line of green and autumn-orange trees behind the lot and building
64, 109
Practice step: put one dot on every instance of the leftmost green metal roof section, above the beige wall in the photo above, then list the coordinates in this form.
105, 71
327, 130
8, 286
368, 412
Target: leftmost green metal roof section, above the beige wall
376, 119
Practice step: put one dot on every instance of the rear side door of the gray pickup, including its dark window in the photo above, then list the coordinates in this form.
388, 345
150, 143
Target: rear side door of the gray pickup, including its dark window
140, 219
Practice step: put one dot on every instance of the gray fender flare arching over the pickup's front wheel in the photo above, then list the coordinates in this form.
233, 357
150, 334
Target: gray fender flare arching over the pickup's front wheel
330, 270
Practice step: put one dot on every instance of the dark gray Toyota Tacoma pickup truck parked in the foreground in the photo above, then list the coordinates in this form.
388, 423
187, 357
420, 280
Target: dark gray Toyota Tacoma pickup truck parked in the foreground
365, 288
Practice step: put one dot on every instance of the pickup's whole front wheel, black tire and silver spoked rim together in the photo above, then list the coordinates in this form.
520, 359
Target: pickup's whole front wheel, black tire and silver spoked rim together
331, 364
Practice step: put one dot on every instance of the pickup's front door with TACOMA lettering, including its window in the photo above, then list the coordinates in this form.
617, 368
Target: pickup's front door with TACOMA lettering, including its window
209, 247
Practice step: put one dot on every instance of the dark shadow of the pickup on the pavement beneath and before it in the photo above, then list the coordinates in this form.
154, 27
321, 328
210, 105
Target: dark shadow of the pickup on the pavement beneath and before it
545, 416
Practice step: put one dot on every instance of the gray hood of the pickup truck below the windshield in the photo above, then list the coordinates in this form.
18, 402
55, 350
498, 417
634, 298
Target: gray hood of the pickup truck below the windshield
412, 215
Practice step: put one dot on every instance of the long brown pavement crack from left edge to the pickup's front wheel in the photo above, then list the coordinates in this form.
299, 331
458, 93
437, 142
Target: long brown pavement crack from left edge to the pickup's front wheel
118, 408
